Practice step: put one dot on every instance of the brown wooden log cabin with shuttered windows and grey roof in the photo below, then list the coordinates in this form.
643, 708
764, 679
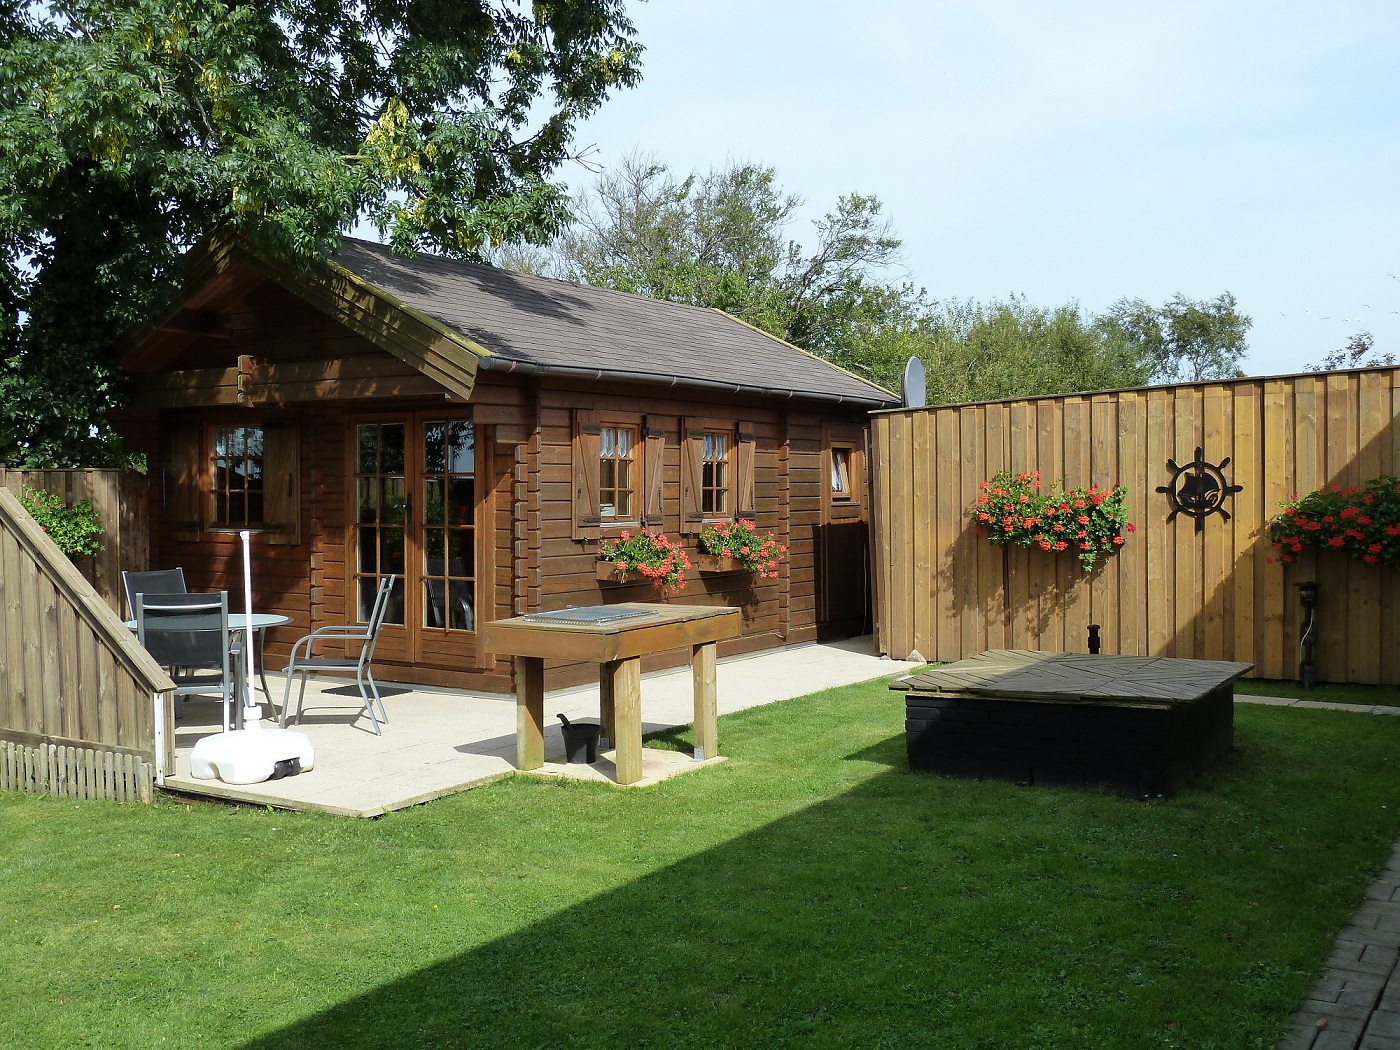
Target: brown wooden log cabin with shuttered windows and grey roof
479, 433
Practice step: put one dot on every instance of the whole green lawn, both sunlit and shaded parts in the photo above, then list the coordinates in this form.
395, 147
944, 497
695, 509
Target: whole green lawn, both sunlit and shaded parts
810, 892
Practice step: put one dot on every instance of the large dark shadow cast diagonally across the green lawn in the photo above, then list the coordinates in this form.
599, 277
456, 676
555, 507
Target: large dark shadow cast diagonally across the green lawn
915, 911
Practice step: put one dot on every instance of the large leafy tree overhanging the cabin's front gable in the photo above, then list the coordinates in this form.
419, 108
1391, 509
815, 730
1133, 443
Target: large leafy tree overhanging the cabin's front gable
131, 129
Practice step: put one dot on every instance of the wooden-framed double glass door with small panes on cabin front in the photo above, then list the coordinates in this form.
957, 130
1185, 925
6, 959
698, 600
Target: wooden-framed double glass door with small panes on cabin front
415, 491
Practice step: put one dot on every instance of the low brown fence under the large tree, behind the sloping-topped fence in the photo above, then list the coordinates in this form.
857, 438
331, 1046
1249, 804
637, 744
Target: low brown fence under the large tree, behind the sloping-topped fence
120, 499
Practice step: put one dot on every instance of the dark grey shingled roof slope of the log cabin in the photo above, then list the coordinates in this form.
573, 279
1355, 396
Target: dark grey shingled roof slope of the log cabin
534, 324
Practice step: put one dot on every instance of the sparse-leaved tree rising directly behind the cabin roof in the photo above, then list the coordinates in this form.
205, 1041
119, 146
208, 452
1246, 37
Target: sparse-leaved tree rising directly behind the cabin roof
720, 240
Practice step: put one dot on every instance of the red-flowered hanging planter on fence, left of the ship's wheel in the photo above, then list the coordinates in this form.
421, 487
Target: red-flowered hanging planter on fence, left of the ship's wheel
1087, 521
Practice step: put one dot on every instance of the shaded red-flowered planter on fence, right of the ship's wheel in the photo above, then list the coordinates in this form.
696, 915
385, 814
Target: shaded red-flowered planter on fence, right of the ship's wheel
1363, 520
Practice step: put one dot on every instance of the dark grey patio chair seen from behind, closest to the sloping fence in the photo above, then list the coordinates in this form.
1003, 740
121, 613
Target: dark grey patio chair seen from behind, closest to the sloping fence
190, 635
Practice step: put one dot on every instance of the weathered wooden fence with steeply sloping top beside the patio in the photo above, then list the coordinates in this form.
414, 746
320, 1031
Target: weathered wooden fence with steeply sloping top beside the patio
85, 710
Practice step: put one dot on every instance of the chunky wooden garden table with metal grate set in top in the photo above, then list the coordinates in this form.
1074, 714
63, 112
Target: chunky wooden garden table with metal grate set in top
618, 649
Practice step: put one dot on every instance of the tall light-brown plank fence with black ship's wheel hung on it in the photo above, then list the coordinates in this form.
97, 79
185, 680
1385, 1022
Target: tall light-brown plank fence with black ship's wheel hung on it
1171, 591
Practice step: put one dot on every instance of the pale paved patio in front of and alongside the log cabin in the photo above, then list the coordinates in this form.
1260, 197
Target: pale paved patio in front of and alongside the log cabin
442, 741
